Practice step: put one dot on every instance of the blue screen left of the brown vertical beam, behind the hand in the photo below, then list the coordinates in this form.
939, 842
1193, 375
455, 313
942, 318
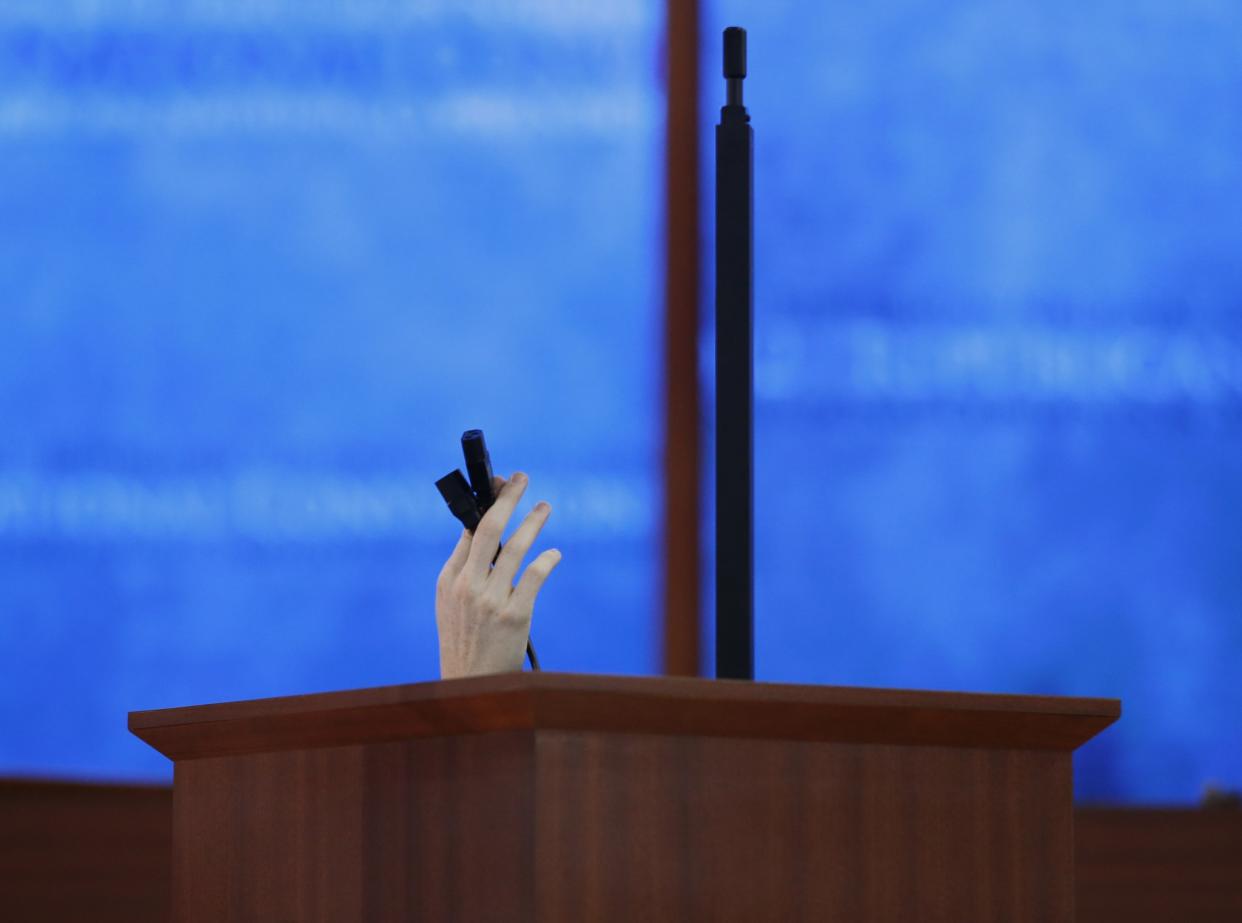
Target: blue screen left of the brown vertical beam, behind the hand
261, 264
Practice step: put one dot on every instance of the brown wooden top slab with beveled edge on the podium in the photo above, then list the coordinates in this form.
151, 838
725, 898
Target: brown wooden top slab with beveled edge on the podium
682, 706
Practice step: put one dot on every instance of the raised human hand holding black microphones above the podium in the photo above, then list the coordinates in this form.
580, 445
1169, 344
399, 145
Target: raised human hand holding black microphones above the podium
485, 621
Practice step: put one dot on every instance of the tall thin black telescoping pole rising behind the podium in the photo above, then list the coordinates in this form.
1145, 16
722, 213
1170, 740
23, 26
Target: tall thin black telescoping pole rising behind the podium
735, 302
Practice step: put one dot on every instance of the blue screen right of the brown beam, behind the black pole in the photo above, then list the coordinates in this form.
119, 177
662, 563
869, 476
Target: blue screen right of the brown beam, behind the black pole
999, 360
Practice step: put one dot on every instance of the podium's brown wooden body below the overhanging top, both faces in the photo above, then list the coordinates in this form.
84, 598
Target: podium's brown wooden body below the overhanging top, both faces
581, 825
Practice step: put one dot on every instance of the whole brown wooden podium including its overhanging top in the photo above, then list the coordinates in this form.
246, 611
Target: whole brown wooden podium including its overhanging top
545, 797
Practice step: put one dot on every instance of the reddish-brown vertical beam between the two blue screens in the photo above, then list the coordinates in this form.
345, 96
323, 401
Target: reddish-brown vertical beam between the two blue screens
682, 266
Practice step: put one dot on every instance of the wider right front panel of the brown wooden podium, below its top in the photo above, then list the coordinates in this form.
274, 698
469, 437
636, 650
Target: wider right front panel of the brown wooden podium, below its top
716, 829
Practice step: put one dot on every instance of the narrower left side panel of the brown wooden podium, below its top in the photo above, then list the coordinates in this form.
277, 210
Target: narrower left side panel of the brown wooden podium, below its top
437, 829
